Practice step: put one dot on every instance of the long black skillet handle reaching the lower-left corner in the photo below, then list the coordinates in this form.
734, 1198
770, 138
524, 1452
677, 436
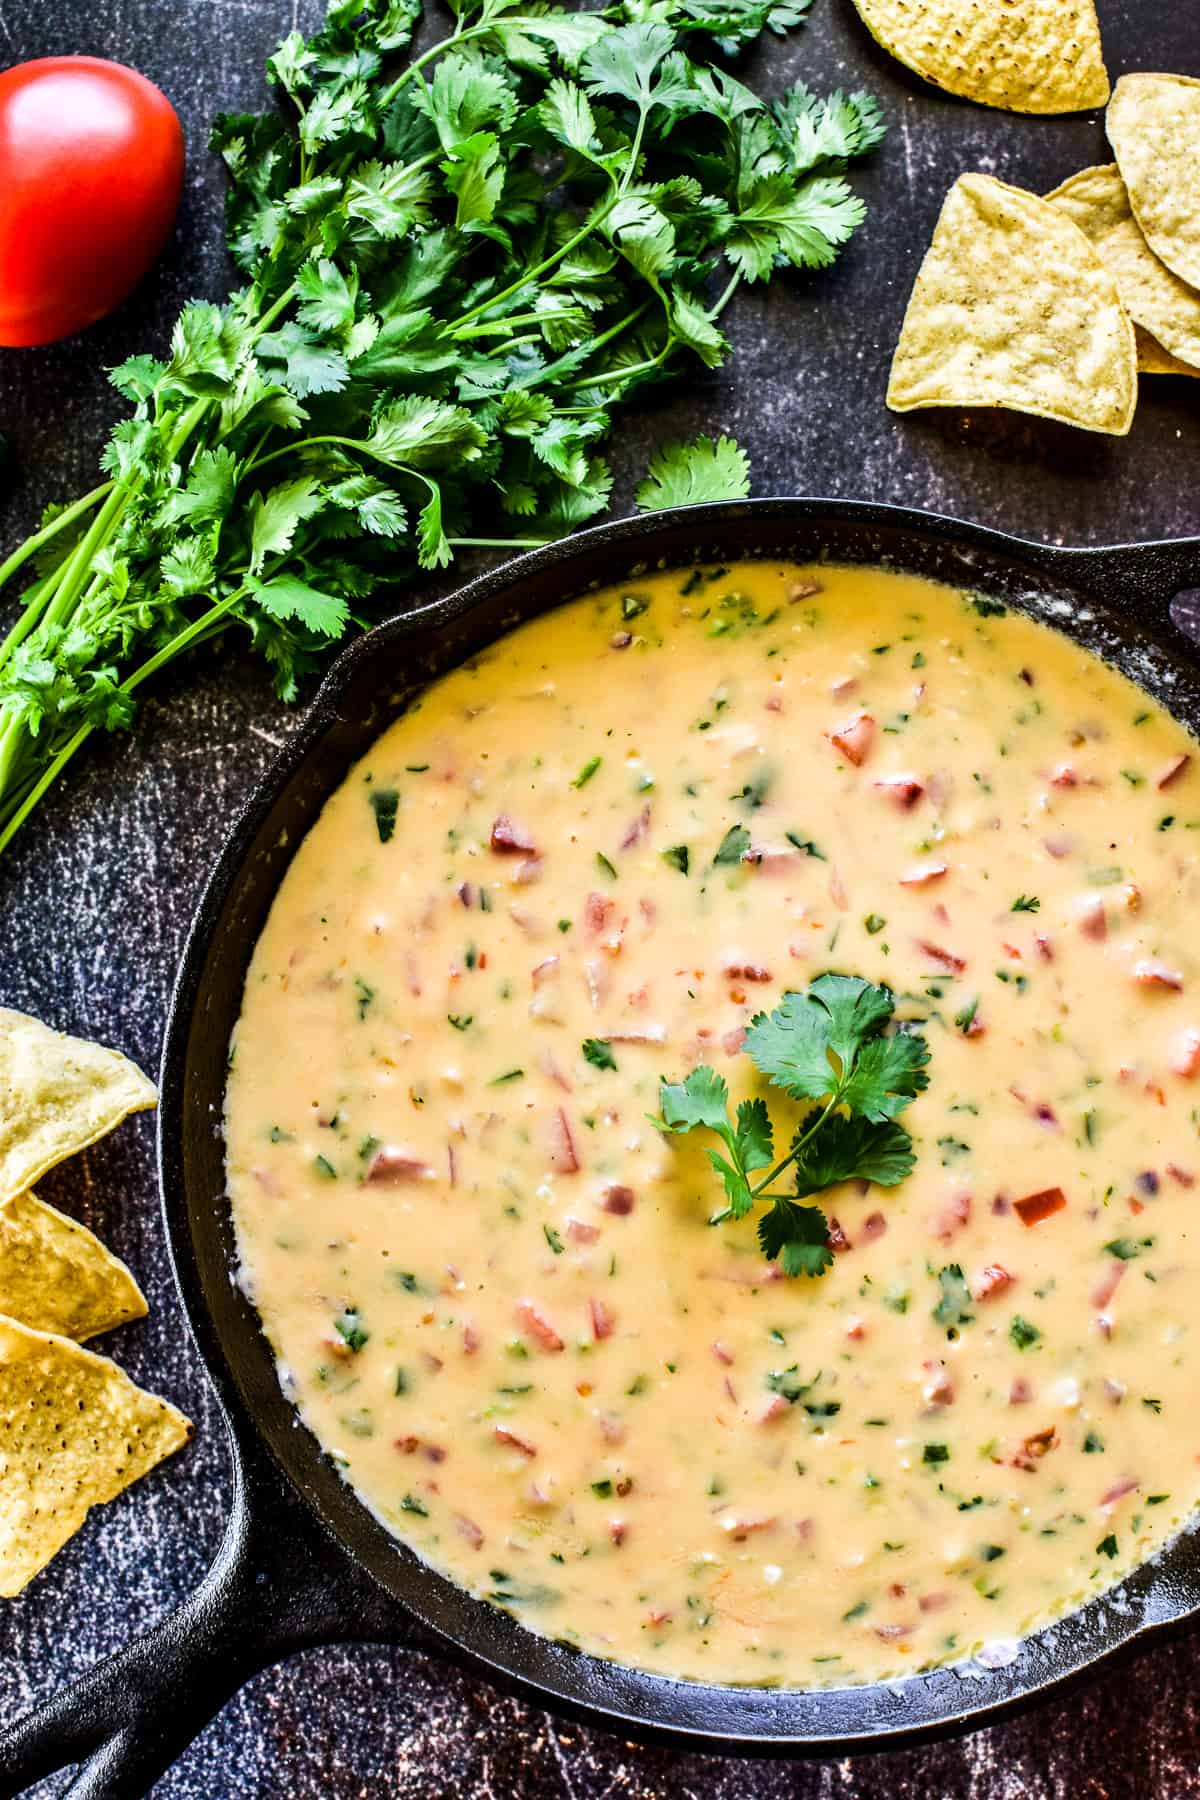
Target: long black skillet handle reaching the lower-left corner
278, 1587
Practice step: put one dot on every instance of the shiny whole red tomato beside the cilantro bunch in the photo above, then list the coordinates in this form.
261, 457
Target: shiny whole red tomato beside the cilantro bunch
91, 177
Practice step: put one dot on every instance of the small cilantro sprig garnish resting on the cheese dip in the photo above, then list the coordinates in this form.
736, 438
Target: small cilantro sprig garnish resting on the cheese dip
832, 1047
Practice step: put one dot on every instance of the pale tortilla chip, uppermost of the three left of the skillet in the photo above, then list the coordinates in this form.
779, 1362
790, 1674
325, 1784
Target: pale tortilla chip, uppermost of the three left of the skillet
57, 1097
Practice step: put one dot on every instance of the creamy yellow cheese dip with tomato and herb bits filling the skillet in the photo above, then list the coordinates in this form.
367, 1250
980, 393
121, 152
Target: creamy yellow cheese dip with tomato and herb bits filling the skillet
494, 1286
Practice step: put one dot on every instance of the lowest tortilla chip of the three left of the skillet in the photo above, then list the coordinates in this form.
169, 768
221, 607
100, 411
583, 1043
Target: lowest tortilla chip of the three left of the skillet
75, 1434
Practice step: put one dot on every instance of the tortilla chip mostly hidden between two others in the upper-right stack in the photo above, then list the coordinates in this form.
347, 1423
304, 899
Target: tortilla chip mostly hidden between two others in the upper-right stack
1151, 294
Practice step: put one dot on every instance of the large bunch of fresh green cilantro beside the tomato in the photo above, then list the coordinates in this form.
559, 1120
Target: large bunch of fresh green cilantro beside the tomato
458, 265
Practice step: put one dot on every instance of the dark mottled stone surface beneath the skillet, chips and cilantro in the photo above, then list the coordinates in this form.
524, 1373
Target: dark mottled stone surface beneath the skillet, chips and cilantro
94, 904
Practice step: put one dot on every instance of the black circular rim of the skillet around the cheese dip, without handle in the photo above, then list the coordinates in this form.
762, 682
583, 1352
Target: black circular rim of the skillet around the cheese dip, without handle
744, 1720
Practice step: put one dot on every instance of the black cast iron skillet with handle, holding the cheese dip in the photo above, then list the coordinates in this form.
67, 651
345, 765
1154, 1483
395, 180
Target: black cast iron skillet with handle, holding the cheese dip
303, 1561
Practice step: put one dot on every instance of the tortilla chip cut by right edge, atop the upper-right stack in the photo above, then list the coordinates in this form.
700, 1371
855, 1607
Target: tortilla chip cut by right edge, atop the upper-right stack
1154, 129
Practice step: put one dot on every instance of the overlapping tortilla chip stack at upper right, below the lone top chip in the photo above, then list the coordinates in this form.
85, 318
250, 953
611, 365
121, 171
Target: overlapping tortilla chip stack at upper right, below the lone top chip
1055, 305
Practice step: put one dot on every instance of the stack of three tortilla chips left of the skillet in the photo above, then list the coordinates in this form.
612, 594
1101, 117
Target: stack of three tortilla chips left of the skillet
75, 1430
